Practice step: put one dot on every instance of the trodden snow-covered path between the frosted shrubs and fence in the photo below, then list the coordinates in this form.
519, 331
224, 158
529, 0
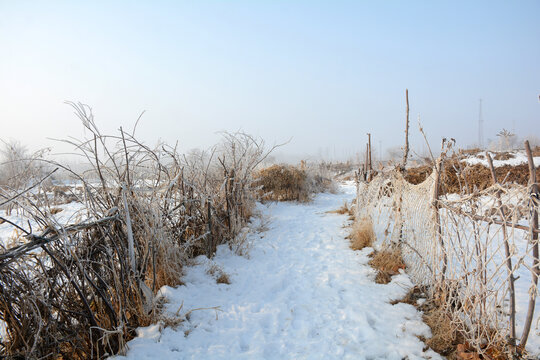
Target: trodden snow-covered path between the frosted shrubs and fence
301, 294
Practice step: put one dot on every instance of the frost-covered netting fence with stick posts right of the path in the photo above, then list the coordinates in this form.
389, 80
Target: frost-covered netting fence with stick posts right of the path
476, 253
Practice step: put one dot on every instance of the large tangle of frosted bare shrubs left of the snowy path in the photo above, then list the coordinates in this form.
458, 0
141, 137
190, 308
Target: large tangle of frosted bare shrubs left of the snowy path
80, 290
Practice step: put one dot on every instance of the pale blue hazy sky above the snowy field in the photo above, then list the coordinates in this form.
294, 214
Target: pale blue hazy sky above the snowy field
321, 72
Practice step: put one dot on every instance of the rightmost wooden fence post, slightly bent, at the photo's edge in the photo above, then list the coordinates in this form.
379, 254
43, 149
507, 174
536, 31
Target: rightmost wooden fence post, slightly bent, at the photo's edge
535, 270
